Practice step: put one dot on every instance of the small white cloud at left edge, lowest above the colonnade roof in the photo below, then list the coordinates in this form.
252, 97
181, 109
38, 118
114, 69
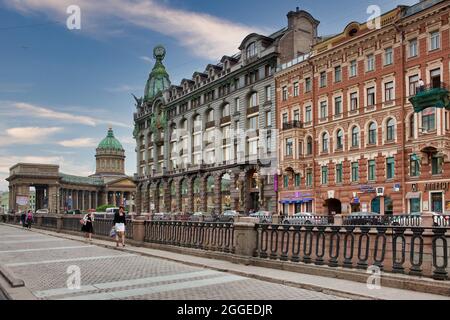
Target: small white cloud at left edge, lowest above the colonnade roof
27, 135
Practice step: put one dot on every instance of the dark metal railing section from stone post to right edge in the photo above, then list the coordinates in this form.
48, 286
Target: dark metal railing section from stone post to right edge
413, 250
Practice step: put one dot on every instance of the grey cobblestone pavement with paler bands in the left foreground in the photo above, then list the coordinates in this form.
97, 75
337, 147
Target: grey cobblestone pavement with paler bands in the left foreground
43, 263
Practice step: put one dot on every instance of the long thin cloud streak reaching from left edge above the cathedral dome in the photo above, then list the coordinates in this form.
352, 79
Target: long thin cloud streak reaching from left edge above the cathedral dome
29, 110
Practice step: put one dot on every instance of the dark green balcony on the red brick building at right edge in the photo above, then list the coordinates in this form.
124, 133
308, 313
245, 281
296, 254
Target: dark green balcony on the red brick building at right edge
431, 95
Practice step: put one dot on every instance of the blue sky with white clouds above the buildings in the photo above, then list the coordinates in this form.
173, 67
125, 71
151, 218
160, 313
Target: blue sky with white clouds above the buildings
61, 89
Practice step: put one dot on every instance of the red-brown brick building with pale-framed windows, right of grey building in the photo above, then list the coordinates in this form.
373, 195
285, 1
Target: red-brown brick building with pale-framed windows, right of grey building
350, 138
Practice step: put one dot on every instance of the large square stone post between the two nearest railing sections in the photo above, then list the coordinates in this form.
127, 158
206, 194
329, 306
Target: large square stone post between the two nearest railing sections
245, 236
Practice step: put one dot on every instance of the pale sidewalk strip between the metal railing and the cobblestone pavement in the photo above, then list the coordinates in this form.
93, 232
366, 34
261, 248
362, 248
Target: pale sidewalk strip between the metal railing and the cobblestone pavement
343, 288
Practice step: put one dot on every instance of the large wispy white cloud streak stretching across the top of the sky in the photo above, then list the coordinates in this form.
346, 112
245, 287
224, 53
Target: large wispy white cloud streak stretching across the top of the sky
205, 35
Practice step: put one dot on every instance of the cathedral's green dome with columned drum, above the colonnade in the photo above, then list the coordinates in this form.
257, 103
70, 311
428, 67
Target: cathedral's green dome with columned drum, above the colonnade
110, 156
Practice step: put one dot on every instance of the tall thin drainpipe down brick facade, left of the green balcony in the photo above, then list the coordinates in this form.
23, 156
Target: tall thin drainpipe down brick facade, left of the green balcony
402, 114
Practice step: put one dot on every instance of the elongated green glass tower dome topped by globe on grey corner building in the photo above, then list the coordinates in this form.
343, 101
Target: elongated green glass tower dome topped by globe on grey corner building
158, 80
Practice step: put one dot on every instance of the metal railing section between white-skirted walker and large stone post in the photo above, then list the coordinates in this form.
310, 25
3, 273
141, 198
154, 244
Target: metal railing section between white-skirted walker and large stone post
214, 236
